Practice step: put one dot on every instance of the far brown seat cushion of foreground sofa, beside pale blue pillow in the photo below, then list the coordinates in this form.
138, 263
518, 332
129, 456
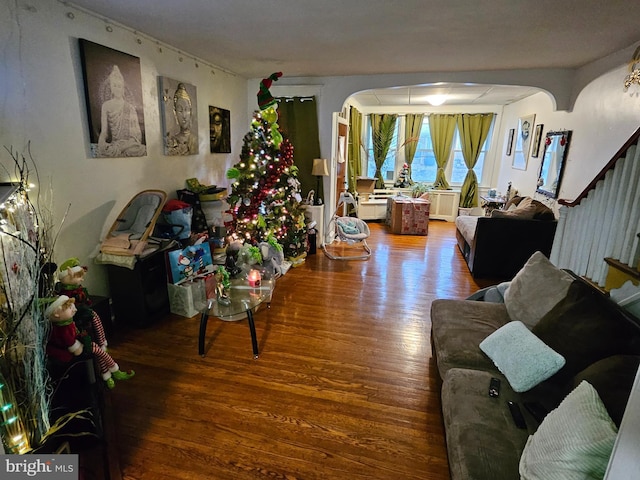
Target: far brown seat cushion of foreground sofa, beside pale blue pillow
458, 327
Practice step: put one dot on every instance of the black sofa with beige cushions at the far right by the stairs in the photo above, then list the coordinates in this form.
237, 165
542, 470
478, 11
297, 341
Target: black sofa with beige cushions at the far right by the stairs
499, 245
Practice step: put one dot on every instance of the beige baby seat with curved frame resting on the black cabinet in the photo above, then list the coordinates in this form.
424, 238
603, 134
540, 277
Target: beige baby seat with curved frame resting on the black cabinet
129, 233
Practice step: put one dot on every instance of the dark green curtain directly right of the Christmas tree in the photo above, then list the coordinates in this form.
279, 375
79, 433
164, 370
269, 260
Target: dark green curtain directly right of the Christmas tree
298, 121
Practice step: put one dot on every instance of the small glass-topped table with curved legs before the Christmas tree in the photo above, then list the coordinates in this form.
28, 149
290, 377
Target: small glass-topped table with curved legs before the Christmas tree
244, 301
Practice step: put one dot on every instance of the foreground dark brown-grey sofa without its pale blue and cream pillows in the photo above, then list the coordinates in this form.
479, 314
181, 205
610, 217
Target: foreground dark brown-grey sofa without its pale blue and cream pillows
599, 342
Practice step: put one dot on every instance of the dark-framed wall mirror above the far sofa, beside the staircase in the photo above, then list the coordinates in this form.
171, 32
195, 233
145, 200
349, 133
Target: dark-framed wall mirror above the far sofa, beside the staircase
556, 146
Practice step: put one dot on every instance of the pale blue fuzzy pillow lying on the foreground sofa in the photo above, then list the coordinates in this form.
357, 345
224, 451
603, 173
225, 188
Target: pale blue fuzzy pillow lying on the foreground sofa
521, 356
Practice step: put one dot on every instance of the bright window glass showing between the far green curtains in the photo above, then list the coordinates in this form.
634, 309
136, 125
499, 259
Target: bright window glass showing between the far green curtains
424, 167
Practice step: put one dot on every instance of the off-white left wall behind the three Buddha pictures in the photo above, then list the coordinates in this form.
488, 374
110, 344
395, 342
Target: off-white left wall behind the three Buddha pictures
42, 102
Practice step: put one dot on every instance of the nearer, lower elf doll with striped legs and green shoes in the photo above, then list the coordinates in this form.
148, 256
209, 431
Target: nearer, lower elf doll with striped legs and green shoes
66, 341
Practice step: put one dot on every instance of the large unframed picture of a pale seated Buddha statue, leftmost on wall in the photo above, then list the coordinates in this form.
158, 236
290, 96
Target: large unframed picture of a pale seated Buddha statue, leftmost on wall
113, 92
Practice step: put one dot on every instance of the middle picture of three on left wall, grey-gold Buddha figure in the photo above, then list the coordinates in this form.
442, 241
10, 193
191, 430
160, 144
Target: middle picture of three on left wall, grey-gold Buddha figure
179, 110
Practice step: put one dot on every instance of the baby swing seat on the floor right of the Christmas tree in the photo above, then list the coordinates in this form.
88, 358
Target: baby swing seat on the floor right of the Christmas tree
351, 231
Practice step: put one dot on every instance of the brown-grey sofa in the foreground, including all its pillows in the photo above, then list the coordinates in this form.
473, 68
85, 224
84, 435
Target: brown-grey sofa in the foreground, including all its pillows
554, 340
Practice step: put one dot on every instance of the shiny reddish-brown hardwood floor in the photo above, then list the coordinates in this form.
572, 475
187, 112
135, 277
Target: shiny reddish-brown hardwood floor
345, 386
